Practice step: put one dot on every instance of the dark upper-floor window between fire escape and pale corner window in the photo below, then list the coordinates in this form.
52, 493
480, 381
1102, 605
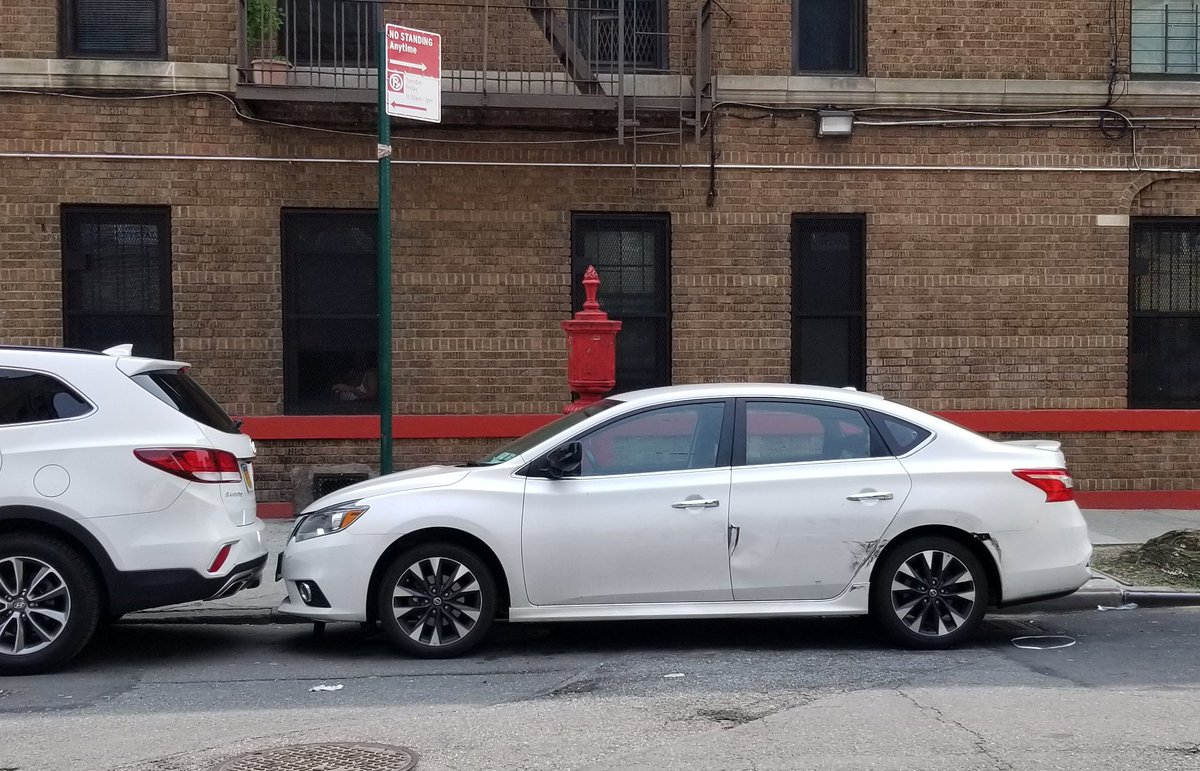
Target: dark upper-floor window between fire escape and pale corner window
827, 37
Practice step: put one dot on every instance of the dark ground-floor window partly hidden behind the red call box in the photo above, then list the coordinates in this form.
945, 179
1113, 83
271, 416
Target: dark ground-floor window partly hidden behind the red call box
632, 254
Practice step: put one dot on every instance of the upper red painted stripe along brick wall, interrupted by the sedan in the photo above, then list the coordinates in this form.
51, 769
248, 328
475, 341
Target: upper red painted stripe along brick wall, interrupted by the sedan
275, 428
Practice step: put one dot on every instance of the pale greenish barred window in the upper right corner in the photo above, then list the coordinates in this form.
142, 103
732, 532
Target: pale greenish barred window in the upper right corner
1166, 38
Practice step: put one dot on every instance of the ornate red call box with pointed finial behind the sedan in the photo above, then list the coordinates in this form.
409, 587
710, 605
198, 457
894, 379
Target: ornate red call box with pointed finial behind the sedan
592, 349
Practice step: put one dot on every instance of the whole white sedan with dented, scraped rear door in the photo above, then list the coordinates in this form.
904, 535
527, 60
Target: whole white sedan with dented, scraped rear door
701, 501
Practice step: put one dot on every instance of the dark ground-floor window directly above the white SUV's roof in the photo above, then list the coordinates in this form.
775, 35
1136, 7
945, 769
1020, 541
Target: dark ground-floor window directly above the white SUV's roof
117, 279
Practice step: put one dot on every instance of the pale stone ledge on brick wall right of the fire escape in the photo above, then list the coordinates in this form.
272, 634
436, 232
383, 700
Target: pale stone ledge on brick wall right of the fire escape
862, 92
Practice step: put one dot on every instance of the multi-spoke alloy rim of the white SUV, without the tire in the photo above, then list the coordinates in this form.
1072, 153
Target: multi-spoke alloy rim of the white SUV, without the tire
35, 606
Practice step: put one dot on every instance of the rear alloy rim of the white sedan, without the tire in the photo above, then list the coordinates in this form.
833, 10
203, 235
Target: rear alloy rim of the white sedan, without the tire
933, 594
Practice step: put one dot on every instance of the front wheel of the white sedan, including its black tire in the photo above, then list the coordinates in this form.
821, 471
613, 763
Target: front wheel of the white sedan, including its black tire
437, 601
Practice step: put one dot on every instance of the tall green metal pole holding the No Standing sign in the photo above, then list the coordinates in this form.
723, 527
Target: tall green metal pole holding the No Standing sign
385, 258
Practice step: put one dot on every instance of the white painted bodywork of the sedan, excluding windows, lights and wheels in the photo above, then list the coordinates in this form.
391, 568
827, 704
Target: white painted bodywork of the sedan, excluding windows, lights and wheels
616, 548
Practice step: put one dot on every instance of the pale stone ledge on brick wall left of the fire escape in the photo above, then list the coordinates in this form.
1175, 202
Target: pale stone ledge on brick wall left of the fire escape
100, 75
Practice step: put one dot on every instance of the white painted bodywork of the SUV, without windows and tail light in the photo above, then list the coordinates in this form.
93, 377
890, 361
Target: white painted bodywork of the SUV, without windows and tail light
145, 518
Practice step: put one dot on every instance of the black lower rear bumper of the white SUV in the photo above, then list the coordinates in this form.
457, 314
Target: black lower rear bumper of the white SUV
139, 590
